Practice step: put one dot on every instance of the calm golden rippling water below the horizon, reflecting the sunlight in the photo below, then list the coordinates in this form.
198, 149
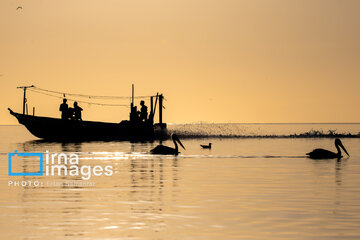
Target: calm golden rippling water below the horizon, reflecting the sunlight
241, 189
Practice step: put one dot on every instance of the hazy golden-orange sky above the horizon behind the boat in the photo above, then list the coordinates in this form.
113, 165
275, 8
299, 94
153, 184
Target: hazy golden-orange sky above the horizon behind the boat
215, 61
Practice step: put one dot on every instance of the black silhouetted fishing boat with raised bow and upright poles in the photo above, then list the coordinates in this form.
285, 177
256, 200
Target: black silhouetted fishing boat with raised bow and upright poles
56, 129
